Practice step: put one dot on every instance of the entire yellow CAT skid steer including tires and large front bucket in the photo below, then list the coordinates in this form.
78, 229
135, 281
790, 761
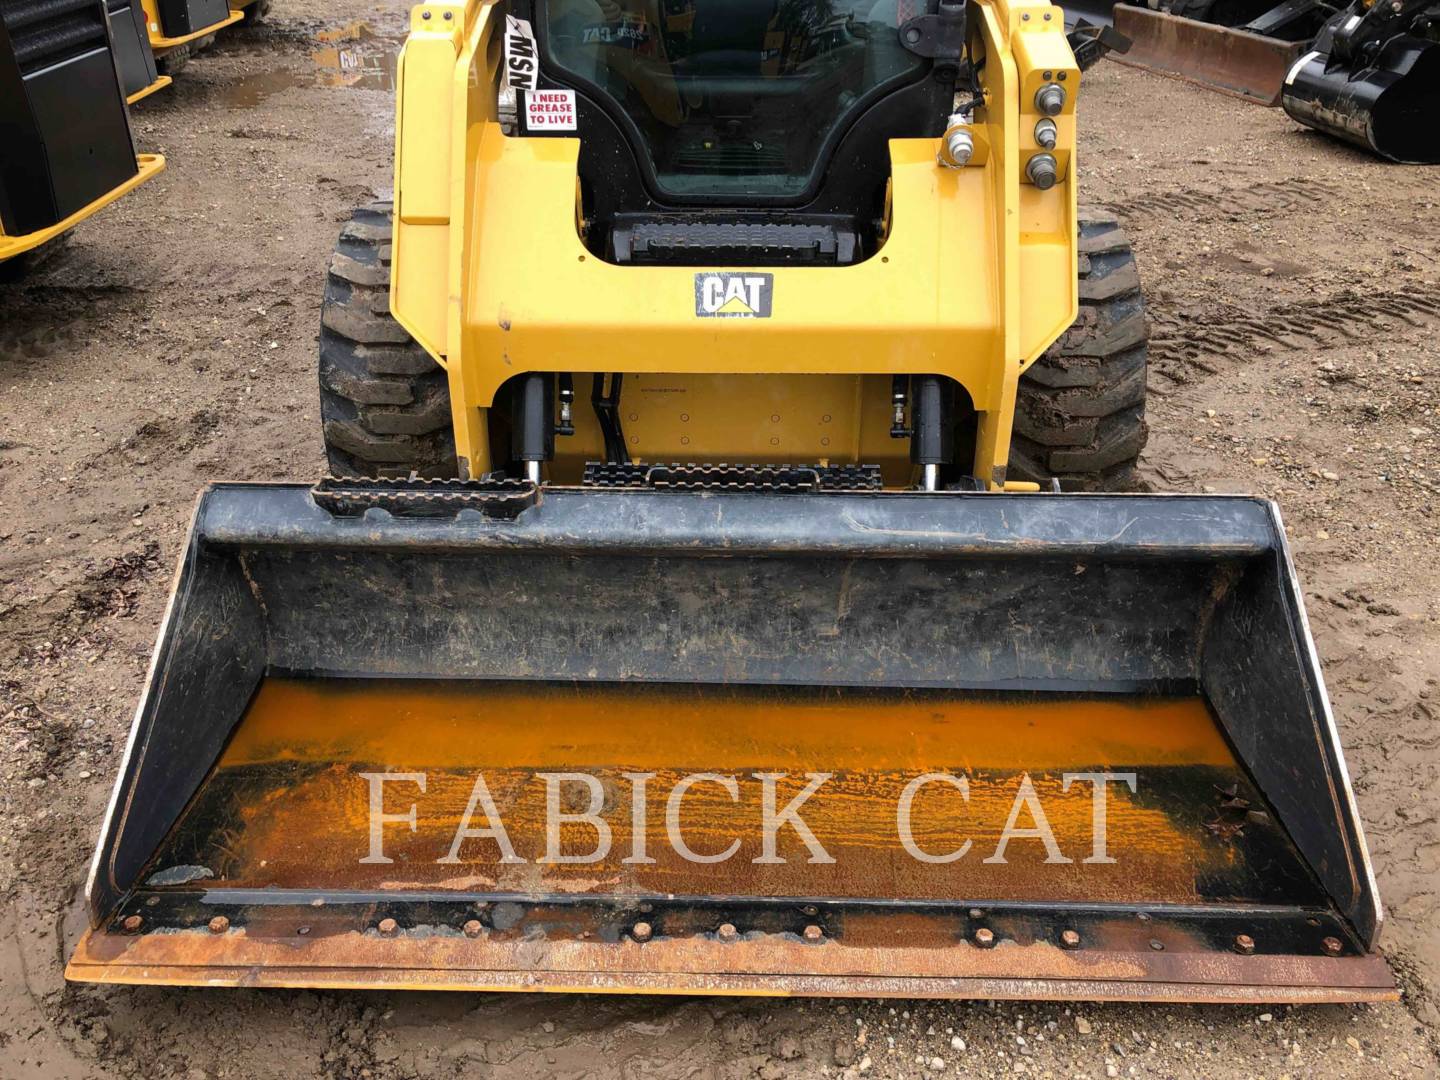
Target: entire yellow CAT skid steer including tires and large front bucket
722, 587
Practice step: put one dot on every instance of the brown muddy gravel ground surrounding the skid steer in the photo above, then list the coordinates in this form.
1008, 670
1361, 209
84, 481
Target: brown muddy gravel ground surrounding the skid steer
1295, 303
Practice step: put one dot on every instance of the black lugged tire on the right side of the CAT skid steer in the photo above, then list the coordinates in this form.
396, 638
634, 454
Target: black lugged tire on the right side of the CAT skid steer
1081, 408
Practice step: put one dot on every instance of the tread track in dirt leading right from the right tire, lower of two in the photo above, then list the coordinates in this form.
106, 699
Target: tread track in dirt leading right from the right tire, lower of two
1187, 349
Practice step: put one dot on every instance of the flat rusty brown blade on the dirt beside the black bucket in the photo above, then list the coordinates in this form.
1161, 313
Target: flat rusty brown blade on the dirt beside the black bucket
1222, 58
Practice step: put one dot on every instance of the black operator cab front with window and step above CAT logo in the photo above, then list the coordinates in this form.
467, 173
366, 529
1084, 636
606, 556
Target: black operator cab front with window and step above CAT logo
741, 132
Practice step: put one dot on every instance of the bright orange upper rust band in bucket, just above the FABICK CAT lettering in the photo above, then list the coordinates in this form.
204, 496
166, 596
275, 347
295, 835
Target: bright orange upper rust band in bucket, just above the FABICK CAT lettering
477, 725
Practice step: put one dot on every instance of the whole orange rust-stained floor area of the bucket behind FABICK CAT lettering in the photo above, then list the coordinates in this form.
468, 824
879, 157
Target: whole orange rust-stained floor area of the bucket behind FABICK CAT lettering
289, 809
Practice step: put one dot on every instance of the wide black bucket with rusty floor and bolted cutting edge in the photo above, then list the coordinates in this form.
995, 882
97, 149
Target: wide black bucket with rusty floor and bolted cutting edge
834, 744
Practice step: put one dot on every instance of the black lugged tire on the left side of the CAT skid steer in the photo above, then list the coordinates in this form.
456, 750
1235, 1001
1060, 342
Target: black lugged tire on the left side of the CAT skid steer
384, 401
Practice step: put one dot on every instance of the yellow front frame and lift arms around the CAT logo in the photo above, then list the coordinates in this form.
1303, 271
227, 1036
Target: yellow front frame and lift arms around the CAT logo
976, 279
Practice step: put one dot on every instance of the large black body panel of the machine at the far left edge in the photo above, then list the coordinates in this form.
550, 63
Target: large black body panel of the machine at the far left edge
64, 130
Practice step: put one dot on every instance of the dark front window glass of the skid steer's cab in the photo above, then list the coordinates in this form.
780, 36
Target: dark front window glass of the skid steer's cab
732, 97
